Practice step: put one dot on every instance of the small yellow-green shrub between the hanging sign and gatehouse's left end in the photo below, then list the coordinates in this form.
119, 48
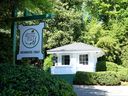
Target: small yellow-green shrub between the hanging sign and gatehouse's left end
48, 63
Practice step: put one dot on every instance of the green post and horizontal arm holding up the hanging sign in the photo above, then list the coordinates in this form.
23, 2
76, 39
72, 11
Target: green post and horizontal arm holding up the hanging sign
14, 20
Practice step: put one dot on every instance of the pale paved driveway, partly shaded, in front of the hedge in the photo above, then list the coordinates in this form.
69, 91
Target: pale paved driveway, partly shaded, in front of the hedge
101, 90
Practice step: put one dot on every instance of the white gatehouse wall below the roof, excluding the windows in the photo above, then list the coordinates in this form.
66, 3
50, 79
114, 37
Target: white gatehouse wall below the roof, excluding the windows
74, 64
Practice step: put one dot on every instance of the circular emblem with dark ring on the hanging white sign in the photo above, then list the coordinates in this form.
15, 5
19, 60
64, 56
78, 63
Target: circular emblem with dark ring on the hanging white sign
30, 38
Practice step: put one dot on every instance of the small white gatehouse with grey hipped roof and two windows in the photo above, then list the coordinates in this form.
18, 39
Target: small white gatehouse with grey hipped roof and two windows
75, 57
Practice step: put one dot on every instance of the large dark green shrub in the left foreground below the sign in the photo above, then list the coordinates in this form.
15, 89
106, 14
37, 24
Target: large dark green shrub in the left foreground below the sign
29, 81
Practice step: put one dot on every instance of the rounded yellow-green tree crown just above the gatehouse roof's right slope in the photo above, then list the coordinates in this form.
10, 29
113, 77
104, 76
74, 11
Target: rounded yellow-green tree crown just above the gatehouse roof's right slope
94, 30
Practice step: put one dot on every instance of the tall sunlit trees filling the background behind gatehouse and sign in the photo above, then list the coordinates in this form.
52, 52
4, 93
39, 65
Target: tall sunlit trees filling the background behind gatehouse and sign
102, 23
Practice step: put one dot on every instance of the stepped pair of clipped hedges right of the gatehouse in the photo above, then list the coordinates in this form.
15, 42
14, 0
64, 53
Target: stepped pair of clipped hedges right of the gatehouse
110, 74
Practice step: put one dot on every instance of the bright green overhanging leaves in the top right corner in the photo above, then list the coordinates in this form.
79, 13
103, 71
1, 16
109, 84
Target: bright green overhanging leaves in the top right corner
106, 10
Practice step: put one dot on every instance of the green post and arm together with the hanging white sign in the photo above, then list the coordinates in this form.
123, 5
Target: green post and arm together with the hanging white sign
26, 43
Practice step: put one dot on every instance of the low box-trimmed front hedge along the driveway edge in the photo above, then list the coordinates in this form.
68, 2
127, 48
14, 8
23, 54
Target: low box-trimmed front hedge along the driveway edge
96, 78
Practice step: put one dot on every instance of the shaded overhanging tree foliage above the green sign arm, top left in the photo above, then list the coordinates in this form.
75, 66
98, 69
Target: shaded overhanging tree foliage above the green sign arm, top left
34, 6
